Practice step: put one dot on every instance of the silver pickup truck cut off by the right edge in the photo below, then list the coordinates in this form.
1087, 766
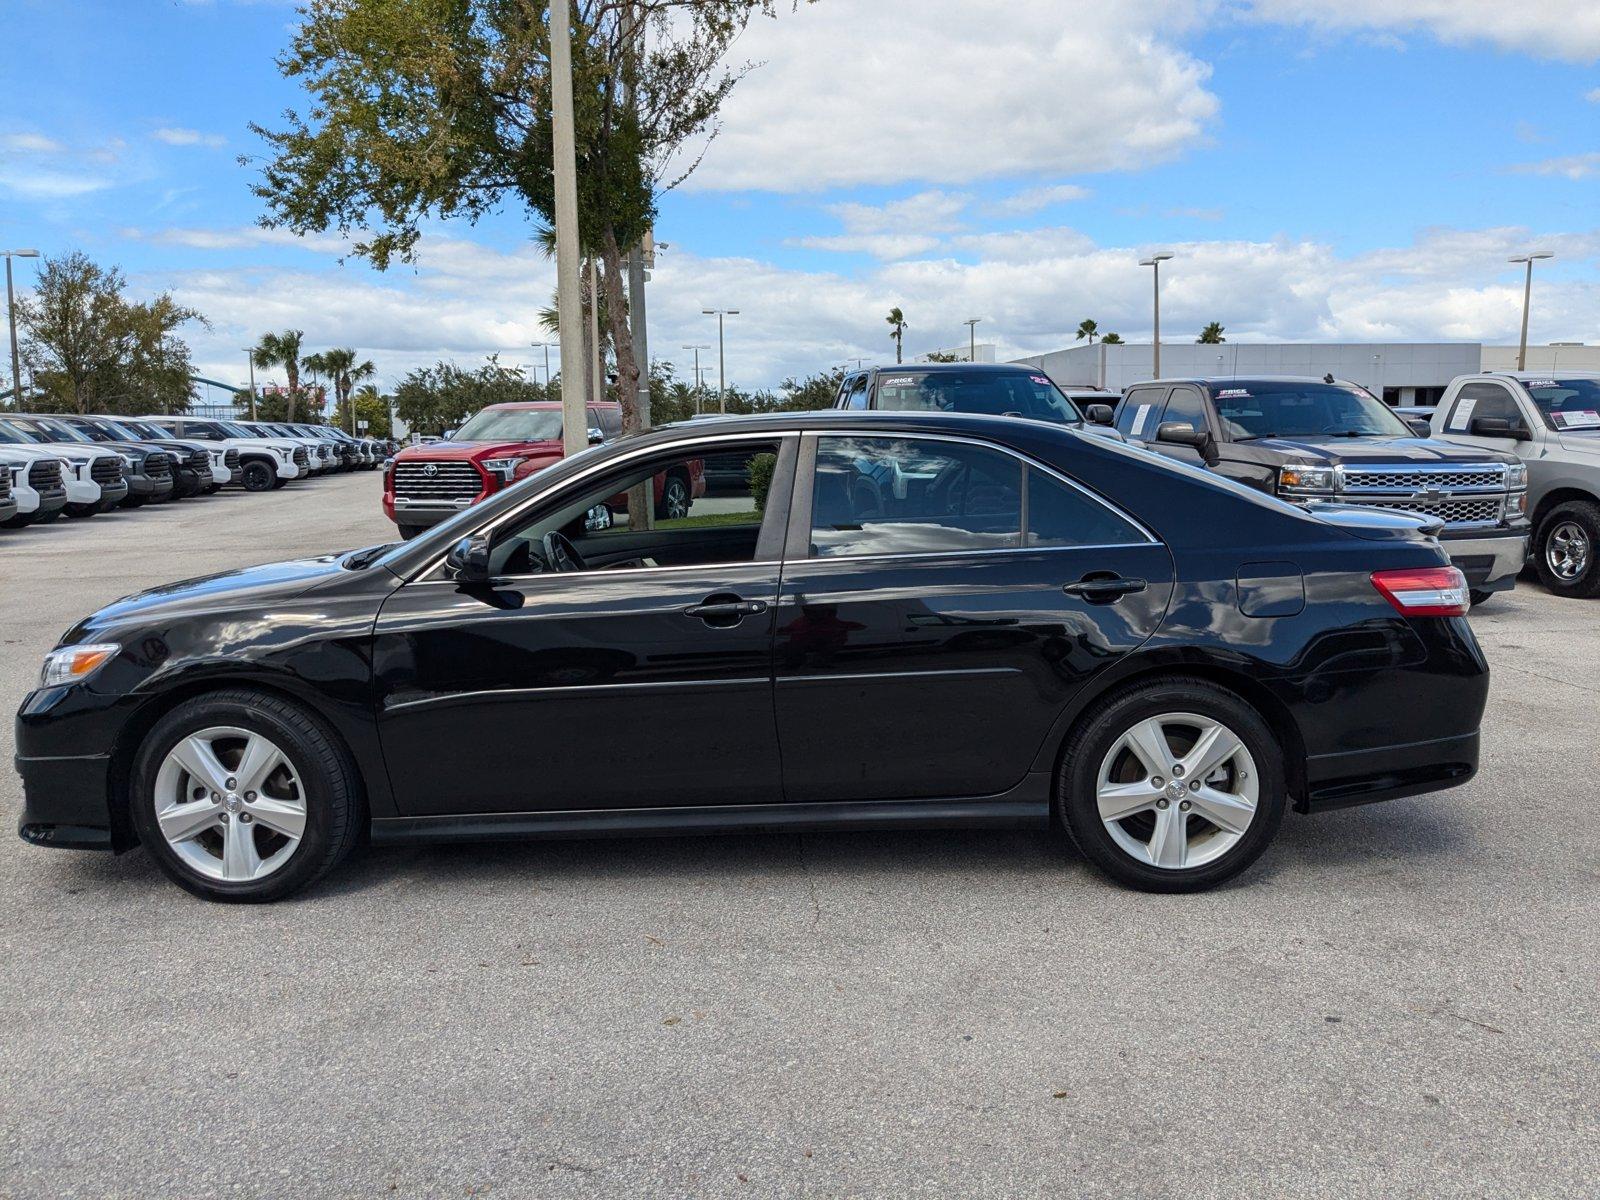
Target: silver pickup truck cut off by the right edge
1553, 425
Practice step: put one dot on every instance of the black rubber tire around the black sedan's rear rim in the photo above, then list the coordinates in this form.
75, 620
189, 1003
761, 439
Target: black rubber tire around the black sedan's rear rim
1098, 735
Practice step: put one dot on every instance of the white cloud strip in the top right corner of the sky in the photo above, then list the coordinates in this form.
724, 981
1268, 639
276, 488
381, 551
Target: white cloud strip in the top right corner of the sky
1562, 30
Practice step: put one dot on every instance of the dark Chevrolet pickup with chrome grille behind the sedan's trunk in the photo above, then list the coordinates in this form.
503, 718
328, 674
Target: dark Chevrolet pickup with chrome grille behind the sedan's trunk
1310, 441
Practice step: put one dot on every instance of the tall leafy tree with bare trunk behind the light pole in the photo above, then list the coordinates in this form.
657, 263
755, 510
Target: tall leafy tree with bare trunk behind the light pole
439, 110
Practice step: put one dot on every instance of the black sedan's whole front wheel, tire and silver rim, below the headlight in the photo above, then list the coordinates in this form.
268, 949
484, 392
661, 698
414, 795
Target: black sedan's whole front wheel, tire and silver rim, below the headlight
244, 798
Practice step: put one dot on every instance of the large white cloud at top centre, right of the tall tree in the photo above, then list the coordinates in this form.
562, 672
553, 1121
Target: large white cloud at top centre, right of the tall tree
930, 90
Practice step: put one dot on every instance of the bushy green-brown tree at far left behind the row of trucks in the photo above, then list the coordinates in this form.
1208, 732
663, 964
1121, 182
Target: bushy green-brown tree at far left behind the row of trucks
94, 350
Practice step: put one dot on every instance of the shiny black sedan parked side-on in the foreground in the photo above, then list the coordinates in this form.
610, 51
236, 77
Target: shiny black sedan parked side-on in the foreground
921, 620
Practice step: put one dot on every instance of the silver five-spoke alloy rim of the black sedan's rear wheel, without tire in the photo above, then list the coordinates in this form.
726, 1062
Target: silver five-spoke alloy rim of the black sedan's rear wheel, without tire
1178, 791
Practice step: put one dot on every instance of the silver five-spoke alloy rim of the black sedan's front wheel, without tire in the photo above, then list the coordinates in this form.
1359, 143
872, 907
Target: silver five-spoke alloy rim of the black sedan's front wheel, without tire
230, 804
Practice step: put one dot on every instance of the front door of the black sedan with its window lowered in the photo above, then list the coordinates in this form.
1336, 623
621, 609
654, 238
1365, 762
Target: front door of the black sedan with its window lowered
639, 681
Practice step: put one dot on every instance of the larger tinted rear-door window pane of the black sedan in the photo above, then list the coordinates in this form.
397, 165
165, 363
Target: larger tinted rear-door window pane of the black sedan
884, 495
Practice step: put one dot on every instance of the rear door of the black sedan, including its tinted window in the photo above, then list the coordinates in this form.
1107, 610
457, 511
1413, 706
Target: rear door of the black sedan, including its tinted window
942, 602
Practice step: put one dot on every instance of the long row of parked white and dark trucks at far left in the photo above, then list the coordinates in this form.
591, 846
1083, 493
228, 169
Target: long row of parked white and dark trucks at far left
79, 465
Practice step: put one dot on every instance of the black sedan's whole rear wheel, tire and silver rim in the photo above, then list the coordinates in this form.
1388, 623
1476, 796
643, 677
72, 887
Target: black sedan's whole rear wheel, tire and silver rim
1174, 786
